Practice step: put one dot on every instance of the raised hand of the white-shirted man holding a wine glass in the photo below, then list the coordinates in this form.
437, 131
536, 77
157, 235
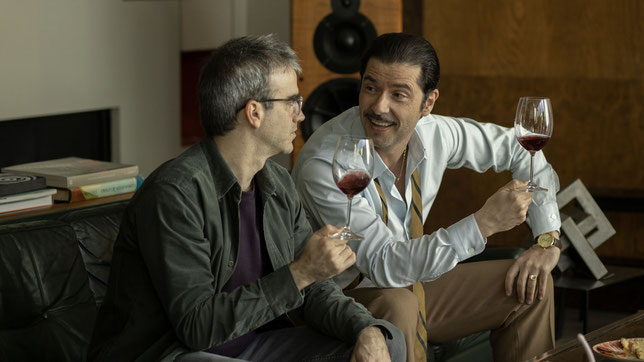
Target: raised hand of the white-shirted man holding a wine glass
505, 209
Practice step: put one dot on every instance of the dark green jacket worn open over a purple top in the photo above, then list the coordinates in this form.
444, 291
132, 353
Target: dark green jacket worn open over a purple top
177, 247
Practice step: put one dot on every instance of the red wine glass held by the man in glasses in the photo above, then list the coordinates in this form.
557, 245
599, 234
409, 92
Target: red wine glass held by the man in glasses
352, 171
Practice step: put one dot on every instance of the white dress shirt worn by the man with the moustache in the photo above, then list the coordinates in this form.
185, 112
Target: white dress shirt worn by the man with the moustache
387, 256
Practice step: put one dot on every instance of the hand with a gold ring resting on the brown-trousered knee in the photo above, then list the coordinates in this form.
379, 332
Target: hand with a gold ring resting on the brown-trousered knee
534, 261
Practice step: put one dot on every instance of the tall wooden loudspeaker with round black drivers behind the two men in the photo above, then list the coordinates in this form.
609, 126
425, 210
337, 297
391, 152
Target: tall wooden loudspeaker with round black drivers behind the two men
330, 36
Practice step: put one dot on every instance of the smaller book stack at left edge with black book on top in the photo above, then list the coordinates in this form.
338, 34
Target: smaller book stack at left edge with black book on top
19, 192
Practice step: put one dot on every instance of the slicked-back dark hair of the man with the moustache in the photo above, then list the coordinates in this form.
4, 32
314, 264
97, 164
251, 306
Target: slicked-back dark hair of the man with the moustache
405, 48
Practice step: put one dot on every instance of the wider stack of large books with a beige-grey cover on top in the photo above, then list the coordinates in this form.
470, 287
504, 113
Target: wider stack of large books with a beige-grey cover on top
78, 179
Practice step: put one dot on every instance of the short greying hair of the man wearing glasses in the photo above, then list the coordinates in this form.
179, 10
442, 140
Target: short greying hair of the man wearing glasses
237, 72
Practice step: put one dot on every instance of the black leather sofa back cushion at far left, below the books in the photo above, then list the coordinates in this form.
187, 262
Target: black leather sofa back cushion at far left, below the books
46, 308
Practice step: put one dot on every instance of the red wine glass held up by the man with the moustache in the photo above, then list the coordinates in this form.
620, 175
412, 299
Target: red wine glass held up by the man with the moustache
533, 128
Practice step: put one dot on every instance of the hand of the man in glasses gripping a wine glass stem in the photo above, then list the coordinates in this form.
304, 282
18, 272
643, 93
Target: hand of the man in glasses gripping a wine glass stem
322, 258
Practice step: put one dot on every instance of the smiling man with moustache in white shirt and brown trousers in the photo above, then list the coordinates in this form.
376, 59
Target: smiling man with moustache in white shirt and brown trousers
513, 298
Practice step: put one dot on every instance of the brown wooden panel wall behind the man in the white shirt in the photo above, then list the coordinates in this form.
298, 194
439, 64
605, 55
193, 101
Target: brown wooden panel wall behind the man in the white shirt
588, 57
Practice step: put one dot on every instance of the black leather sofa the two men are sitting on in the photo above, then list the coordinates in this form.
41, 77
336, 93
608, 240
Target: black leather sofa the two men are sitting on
53, 277
